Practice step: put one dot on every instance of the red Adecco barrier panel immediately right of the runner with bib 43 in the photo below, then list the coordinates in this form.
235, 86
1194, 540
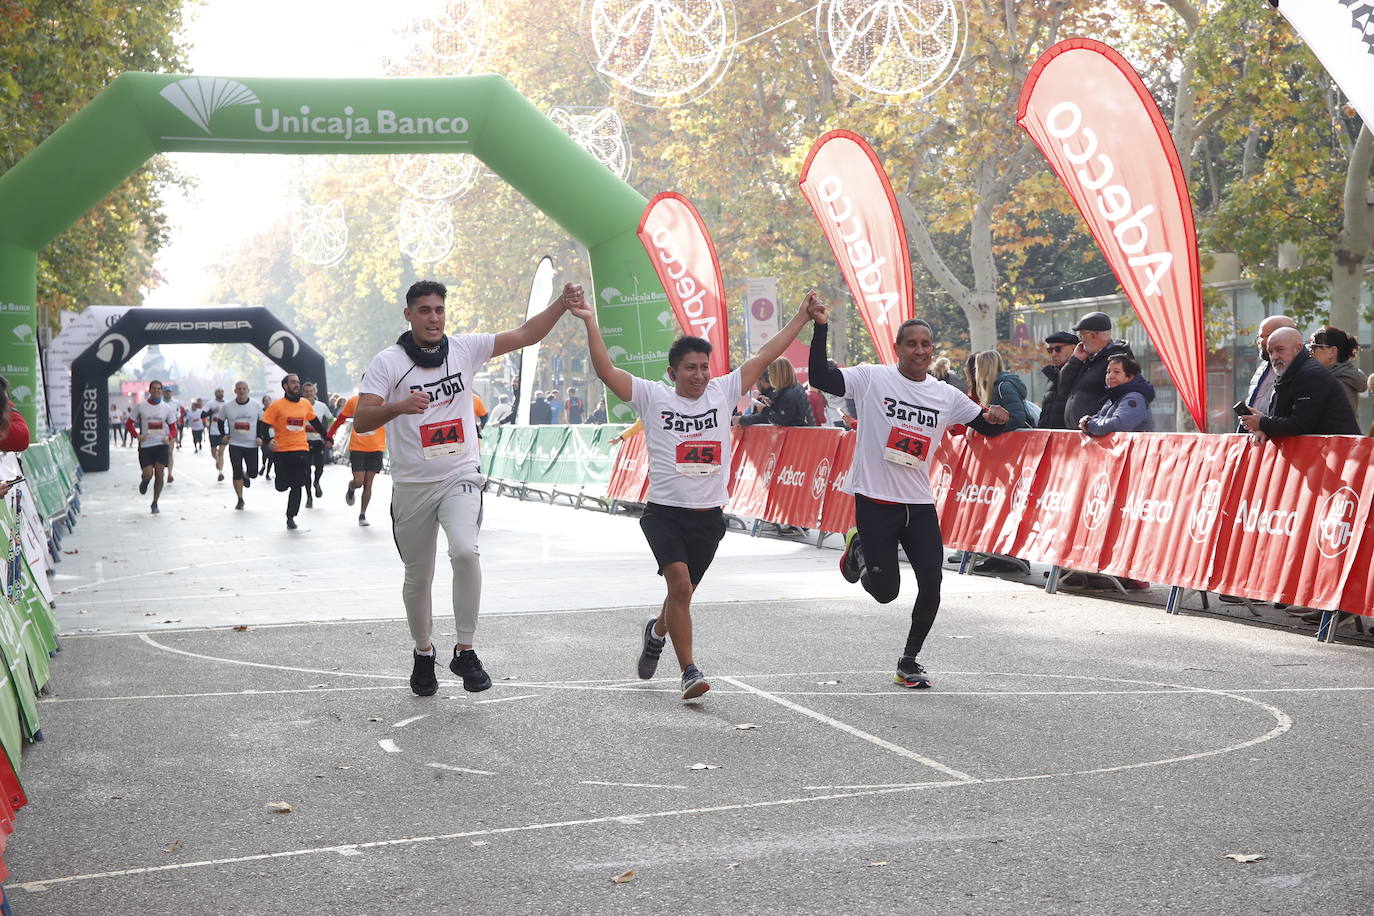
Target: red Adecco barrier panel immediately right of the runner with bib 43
990, 492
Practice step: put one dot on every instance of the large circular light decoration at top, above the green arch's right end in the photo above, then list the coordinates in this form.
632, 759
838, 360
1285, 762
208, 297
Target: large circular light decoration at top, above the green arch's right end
663, 53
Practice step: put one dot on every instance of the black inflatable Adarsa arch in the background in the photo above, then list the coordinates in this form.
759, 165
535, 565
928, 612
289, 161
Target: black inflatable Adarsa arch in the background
142, 328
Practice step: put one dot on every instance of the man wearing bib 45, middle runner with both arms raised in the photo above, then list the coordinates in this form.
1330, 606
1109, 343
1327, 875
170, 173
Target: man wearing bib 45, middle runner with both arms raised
688, 439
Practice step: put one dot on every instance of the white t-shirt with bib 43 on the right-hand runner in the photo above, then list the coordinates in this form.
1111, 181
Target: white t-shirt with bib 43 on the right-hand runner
901, 426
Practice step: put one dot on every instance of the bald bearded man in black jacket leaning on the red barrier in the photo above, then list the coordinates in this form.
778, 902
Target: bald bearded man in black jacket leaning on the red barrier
1307, 399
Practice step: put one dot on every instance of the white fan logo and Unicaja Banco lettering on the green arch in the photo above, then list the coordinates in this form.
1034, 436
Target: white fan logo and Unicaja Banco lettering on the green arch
201, 98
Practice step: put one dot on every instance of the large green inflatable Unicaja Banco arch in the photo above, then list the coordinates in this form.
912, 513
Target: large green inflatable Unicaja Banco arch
141, 115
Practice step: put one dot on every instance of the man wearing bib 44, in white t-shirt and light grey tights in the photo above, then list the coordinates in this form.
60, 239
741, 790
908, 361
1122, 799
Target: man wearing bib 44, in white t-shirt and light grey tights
423, 391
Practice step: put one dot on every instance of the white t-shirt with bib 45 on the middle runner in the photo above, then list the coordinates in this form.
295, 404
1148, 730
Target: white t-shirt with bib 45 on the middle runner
688, 442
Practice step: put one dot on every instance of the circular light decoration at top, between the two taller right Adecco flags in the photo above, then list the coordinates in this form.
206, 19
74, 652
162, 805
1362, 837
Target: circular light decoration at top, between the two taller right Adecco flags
892, 51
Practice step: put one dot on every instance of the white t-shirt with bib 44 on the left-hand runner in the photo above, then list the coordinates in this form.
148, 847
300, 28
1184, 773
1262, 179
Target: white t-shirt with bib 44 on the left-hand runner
440, 443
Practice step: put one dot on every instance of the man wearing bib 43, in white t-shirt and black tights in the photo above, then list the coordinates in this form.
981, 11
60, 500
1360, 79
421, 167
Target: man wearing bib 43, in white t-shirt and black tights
903, 414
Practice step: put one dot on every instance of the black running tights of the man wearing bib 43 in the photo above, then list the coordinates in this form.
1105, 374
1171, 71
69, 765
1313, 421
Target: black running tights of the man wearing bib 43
883, 527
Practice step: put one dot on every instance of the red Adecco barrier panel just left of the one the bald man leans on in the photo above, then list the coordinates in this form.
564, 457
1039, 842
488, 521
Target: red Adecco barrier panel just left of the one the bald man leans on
1170, 503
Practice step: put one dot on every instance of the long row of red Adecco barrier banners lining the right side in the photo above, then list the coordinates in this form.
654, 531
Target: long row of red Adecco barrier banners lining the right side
1283, 523
